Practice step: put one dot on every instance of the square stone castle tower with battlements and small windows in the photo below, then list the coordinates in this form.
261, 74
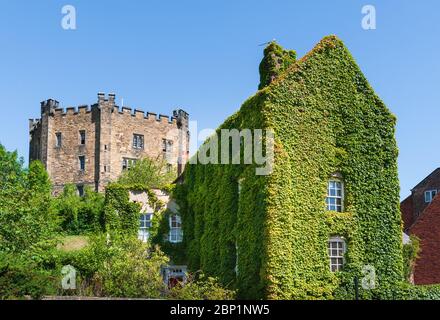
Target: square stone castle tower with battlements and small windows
91, 146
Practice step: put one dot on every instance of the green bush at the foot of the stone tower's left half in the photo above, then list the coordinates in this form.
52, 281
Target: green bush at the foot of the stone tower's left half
80, 214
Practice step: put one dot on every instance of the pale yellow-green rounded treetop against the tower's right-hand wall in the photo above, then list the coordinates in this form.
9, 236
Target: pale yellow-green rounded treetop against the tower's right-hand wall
151, 173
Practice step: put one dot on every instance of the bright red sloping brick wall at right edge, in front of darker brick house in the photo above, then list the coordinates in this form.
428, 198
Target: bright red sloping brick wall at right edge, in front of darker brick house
427, 229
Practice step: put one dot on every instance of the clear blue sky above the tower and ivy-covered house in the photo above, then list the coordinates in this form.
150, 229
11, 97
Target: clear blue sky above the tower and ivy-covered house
203, 56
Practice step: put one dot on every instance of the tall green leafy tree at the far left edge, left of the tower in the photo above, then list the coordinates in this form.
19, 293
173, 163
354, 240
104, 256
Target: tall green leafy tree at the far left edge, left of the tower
27, 219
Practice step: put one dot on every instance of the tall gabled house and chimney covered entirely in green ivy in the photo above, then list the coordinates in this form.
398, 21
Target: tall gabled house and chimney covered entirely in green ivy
329, 210
